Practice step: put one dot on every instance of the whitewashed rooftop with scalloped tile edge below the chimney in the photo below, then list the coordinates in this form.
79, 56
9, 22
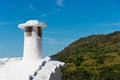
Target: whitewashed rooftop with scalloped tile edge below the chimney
18, 69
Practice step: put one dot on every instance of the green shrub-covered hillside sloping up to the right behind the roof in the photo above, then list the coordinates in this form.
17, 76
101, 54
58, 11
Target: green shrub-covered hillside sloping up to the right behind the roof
96, 57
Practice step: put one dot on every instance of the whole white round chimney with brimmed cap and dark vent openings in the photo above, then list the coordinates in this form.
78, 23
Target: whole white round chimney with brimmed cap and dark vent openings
32, 40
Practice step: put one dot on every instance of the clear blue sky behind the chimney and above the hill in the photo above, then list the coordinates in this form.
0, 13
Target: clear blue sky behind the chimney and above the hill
68, 20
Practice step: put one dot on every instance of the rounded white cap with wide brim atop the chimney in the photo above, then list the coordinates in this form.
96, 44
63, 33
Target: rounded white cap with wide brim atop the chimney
32, 23
